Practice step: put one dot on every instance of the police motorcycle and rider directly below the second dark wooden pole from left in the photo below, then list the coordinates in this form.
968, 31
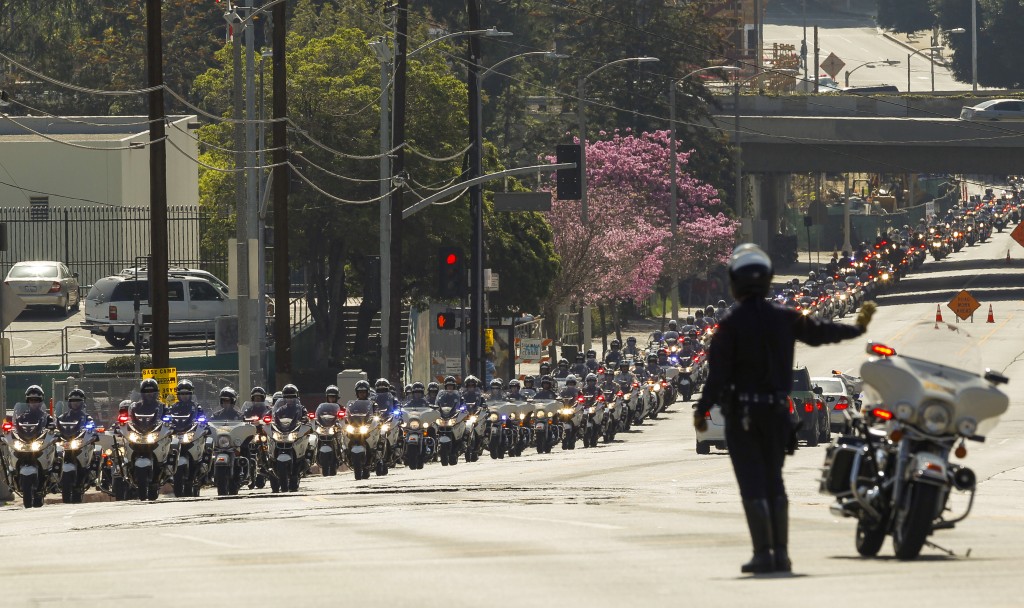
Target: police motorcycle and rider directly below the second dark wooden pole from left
290, 442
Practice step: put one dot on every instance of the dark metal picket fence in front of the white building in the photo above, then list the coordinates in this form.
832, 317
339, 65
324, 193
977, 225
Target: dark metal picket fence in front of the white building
98, 242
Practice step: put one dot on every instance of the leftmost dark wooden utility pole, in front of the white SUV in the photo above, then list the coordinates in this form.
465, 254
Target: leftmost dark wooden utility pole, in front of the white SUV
157, 271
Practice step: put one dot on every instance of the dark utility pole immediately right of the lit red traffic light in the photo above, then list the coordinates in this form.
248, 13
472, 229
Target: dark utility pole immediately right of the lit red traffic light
478, 365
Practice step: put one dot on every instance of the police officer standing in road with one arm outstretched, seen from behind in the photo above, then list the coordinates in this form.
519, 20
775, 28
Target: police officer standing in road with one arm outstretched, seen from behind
751, 362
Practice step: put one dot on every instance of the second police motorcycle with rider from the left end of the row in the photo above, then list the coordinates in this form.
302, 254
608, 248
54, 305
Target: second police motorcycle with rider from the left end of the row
78, 453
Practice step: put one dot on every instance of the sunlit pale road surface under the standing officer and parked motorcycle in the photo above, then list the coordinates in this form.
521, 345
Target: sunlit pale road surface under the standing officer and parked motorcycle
642, 523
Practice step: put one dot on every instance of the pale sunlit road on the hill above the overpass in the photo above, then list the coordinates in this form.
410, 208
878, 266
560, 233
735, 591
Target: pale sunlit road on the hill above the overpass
856, 40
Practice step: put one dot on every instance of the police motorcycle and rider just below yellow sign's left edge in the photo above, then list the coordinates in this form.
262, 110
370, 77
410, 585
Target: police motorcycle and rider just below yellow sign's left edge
143, 454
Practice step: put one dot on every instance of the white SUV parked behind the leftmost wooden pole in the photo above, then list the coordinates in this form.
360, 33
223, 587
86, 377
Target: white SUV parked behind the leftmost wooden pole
194, 303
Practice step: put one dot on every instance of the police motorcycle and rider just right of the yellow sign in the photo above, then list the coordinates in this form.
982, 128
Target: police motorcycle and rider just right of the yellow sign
192, 447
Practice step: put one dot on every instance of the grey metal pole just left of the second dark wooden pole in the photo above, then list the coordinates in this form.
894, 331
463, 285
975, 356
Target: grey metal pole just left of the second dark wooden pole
241, 205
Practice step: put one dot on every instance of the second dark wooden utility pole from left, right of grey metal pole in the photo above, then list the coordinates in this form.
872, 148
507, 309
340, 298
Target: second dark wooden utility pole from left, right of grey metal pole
282, 279
